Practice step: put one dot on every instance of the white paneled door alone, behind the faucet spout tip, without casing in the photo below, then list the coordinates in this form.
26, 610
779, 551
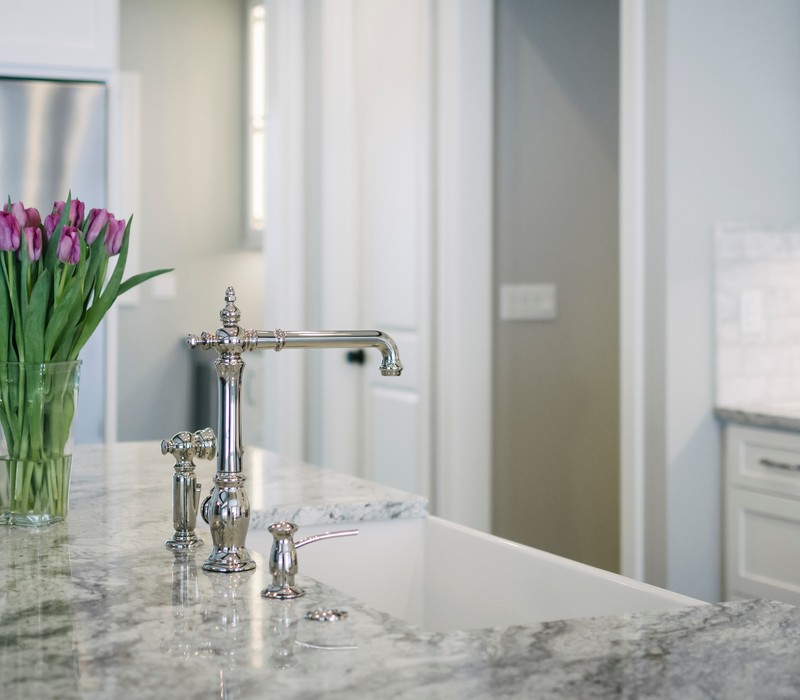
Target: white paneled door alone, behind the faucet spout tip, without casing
394, 117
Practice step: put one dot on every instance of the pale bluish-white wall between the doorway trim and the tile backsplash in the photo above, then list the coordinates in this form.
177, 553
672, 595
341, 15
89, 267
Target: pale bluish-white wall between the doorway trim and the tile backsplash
722, 144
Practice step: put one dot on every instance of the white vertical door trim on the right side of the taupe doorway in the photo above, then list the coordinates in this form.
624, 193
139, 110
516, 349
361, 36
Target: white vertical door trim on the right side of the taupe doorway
642, 552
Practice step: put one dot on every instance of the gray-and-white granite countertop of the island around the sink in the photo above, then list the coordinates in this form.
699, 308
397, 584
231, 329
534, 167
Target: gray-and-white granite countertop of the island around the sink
96, 607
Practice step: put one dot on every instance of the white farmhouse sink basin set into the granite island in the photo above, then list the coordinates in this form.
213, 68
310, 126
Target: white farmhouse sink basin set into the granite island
443, 577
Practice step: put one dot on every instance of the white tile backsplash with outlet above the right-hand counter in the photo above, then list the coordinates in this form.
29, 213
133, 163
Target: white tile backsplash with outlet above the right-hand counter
757, 289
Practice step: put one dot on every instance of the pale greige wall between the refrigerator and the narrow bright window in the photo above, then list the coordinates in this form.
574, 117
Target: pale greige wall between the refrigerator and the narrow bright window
189, 54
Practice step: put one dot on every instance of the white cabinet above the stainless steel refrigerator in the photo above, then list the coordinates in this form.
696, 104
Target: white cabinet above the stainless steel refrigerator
59, 38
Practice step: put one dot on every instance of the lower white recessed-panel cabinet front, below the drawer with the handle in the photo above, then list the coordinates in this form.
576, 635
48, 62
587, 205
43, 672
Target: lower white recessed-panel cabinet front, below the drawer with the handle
763, 546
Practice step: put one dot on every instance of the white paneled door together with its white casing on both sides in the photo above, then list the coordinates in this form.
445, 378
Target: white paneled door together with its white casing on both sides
380, 217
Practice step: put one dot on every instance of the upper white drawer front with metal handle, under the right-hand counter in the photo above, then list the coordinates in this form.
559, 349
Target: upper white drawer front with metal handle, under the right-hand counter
763, 459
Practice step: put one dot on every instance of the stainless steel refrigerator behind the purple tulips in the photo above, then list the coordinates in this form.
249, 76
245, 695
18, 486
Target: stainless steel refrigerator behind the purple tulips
53, 139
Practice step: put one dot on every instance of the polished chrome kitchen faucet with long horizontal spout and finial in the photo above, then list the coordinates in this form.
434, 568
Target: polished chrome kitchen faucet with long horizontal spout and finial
227, 508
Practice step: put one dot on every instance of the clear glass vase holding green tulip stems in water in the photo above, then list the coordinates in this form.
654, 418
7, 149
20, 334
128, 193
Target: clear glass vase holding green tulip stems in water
37, 411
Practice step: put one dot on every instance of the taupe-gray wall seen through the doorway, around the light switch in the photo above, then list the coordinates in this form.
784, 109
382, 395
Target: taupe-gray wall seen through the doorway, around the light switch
556, 402
